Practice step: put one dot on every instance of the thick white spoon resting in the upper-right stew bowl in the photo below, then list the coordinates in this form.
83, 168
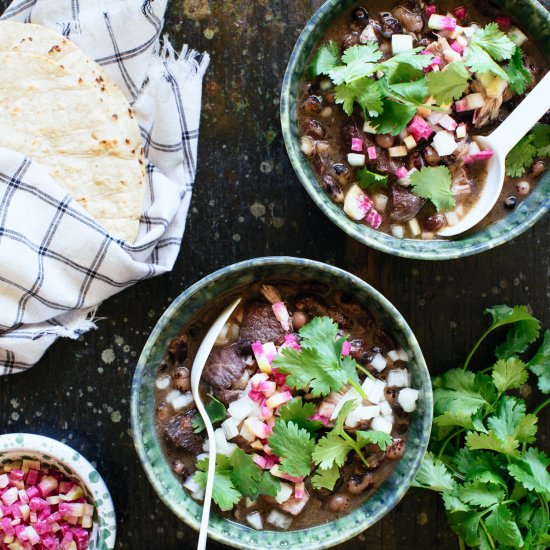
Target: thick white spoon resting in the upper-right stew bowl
501, 141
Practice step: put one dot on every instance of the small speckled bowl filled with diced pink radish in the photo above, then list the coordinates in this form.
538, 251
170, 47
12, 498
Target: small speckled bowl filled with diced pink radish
52, 497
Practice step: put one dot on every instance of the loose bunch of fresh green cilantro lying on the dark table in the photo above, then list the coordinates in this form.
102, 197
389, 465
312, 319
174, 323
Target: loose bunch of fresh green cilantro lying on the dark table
494, 483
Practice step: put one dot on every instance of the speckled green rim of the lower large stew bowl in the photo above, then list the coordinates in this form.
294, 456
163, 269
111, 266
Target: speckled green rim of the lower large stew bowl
319, 537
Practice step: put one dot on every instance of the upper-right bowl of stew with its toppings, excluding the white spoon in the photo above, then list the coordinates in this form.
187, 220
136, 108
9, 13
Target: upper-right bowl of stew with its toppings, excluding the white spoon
380, 107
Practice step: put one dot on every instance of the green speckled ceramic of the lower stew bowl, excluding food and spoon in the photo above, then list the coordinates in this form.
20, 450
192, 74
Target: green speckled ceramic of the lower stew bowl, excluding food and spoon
216, 287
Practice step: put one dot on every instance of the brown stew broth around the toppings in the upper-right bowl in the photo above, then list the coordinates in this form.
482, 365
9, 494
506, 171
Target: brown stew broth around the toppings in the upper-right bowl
334, 122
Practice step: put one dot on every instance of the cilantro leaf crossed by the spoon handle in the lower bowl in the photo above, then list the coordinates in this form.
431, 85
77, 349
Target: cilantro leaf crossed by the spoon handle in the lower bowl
236, 476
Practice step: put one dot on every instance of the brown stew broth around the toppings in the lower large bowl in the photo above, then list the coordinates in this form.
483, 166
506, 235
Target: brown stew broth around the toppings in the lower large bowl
364, 327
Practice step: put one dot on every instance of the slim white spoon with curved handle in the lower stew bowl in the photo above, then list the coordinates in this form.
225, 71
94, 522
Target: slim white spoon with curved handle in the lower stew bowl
196, 372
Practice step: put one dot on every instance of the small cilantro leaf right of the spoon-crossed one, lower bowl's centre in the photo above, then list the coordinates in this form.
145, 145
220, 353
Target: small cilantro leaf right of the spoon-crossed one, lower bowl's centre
294, 446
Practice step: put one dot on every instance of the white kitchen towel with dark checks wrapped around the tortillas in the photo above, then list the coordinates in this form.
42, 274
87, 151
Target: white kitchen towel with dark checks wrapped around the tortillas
56, 264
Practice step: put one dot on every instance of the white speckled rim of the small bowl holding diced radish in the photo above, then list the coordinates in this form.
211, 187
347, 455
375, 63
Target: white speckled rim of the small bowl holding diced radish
80, 467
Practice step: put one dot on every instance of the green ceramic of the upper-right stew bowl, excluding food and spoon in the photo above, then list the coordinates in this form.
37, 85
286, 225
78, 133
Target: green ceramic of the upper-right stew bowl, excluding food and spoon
531, 16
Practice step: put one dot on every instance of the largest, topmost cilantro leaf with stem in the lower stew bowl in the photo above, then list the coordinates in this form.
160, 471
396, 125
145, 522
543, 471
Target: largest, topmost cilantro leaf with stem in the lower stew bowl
319, 367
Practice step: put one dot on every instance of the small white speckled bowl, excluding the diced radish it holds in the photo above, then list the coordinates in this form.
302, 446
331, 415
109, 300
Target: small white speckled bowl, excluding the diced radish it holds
57, 455
